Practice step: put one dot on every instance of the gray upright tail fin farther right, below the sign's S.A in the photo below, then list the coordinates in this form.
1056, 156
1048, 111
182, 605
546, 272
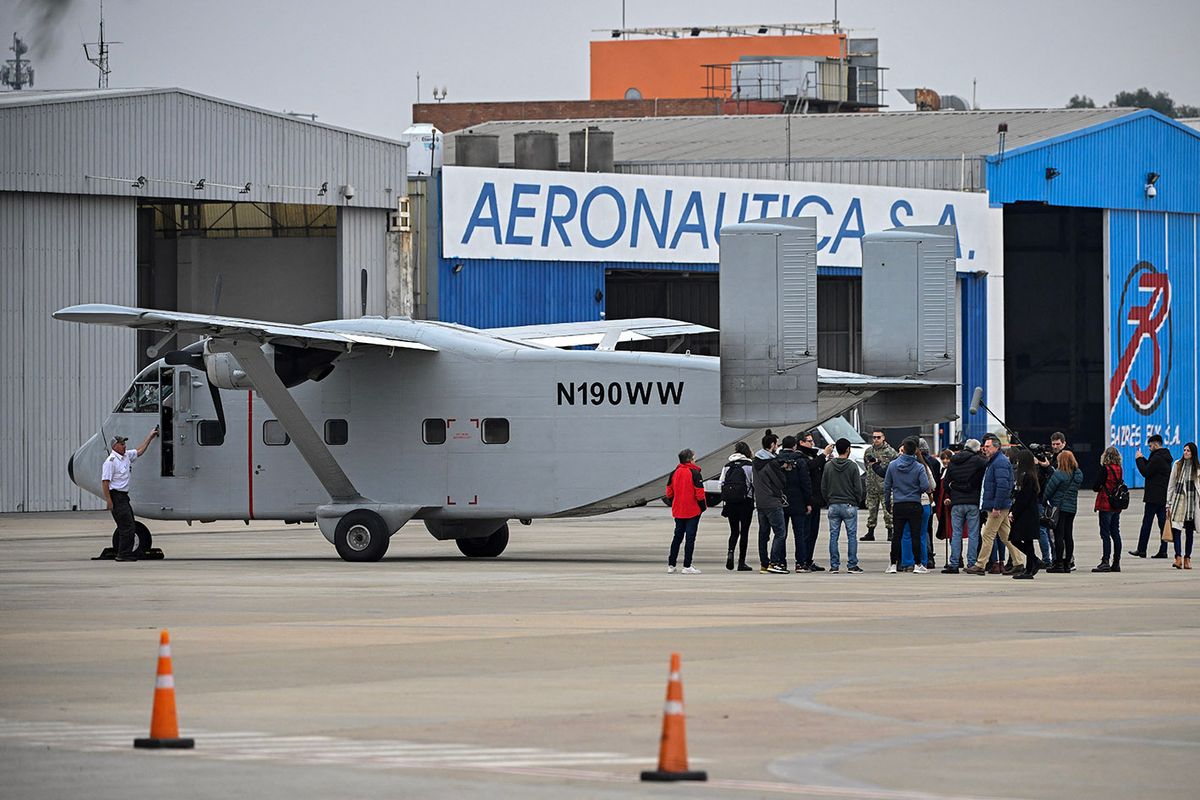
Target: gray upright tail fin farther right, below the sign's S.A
910, 323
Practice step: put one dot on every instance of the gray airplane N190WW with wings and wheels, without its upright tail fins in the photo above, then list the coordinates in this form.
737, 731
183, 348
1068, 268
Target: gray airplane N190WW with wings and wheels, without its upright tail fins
364, 425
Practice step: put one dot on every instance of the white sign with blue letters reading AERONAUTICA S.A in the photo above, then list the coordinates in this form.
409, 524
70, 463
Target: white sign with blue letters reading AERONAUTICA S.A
535, 215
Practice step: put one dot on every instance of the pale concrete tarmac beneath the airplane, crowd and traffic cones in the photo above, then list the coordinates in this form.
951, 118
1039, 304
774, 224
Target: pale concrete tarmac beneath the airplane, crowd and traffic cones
543, 673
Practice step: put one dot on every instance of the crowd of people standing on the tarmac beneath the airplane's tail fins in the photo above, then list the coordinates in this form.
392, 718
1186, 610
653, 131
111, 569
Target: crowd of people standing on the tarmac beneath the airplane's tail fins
1015, 507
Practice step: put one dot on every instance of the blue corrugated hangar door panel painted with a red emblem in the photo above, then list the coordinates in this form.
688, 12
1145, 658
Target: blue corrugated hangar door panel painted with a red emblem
1154, 297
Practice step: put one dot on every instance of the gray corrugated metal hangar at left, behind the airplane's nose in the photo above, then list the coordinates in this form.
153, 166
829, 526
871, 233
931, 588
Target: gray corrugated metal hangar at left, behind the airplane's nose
170, 200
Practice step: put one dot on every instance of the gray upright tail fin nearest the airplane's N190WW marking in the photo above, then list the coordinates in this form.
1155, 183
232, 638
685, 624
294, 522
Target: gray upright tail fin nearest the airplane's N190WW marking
769, 290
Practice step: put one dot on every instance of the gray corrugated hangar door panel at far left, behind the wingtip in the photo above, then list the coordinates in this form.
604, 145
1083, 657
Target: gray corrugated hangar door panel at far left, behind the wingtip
59, 381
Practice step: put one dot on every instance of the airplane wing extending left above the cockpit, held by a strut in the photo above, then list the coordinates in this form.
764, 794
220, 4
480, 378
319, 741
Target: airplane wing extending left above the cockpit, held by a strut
177, 322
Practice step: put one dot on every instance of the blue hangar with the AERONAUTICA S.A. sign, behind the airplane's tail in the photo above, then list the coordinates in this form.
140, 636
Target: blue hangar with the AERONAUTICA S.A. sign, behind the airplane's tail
1078, 243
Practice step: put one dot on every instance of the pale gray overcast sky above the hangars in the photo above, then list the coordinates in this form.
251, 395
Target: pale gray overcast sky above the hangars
353, 63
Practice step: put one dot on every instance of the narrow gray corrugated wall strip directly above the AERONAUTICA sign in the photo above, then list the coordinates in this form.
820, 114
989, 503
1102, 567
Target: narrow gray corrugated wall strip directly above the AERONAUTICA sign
956, 175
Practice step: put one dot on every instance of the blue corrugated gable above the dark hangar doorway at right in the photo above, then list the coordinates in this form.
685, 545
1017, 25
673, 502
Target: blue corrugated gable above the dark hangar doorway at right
1106, 167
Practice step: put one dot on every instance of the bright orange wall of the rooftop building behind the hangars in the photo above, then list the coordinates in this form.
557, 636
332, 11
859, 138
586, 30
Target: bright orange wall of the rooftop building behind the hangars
676, 68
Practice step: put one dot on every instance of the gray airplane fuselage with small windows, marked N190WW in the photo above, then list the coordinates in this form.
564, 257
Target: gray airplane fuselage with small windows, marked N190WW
589, 432
